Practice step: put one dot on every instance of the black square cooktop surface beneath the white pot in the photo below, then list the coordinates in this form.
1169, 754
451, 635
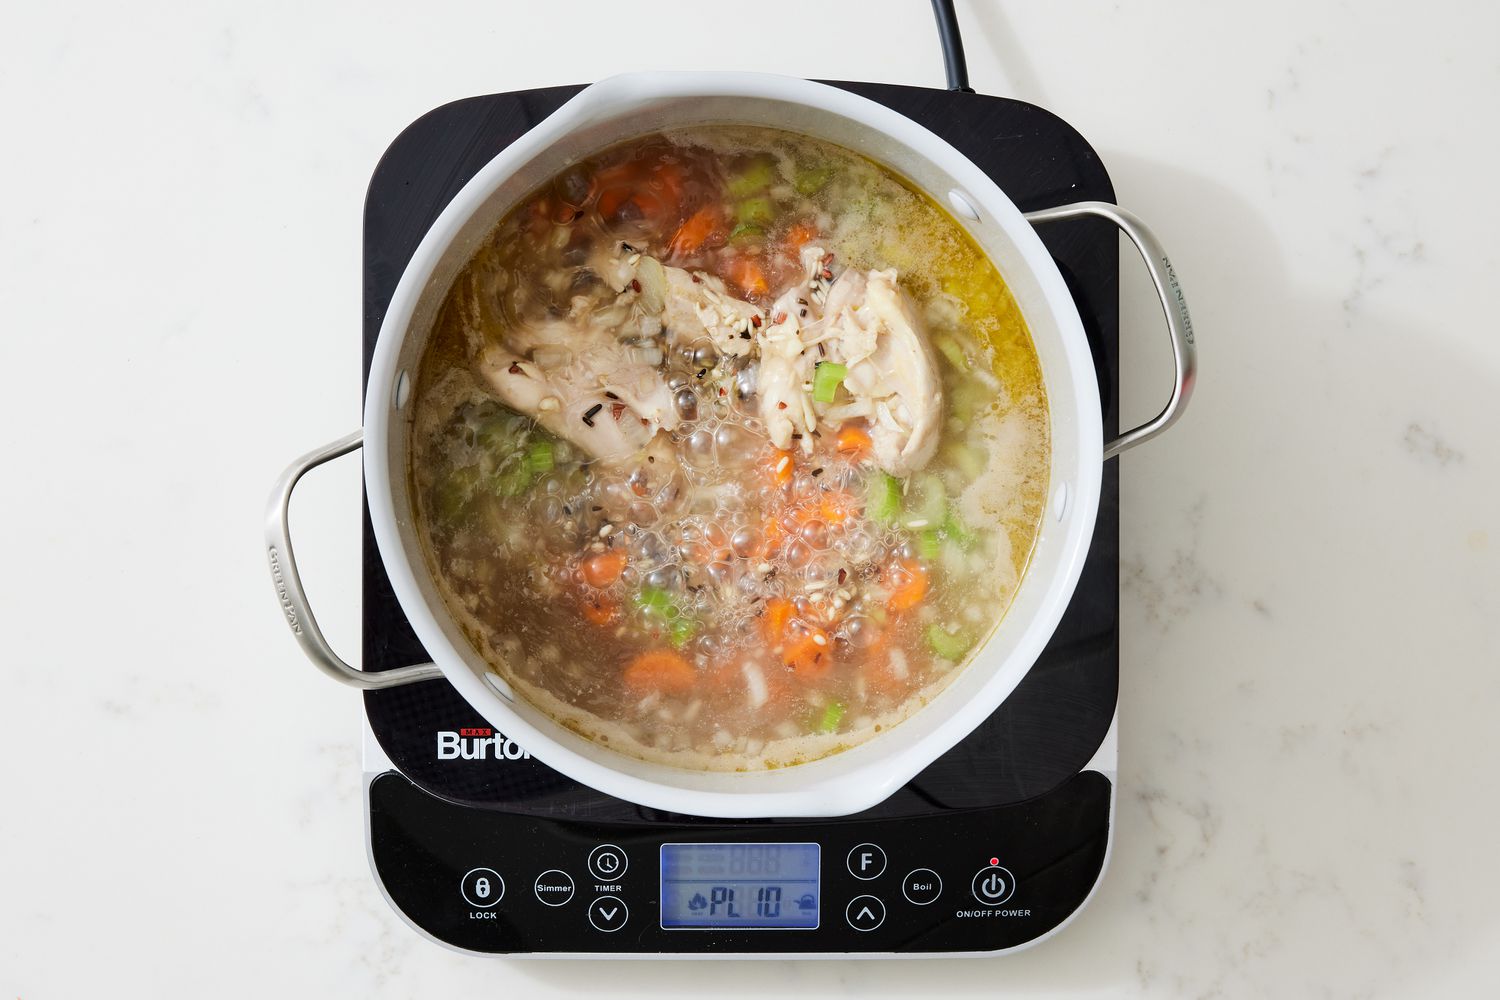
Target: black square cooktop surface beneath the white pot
1052, 723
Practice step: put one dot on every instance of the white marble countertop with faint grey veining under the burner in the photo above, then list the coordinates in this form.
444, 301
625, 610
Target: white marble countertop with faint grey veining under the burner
1312, 558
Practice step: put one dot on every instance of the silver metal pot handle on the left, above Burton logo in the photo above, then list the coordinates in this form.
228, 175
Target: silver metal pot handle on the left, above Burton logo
289, 584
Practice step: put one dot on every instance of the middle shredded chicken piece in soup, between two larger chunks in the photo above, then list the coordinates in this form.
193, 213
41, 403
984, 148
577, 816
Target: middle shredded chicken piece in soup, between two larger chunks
695, 307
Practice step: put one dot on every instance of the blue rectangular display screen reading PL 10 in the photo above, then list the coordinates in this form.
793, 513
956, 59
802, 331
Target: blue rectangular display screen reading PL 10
722, 887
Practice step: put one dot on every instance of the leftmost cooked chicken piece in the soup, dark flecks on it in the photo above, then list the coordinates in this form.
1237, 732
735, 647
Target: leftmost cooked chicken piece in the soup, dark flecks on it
581, 385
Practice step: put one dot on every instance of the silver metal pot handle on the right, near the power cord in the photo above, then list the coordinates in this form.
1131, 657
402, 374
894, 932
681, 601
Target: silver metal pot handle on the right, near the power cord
1175, 308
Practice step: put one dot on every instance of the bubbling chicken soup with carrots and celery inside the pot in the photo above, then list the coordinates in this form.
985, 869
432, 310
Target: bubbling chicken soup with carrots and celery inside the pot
728, 449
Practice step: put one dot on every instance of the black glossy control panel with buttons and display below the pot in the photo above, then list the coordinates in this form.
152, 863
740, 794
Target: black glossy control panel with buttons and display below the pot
947, 881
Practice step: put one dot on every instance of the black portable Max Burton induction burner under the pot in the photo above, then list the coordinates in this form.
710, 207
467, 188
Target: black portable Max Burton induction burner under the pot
991, 849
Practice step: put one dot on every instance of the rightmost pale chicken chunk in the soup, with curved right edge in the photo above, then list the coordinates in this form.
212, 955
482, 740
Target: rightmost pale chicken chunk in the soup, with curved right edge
869, 326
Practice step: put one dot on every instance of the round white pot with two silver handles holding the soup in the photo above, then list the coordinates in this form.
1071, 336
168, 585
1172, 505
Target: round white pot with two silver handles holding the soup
631, 106
